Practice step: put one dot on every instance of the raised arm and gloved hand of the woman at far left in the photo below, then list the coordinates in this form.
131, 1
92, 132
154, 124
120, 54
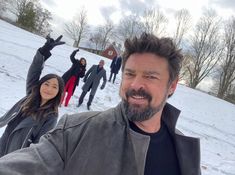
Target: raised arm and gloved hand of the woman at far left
36, 66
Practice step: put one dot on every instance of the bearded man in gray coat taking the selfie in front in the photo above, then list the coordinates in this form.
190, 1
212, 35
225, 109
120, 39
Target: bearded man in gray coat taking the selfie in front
136, 137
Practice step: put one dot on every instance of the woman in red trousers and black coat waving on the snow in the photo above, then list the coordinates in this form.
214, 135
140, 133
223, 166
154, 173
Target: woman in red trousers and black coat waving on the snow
72, 76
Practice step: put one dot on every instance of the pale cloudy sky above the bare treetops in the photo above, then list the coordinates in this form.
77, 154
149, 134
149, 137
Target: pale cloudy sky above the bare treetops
99, 10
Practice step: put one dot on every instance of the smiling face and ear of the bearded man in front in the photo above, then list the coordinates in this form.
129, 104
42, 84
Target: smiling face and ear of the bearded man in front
145, 86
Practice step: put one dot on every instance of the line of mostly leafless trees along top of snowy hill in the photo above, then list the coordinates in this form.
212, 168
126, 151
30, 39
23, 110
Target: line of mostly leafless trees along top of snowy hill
208, 45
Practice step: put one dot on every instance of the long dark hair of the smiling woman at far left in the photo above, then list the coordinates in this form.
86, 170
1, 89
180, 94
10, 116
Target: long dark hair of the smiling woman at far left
31, 106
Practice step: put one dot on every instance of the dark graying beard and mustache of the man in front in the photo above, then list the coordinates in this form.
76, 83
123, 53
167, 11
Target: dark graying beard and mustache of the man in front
135, 112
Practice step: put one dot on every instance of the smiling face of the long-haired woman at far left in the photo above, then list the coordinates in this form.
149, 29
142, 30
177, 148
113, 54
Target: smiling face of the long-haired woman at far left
49, 89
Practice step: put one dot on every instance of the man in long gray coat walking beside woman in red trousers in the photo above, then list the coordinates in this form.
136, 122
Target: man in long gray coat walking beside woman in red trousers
92, 81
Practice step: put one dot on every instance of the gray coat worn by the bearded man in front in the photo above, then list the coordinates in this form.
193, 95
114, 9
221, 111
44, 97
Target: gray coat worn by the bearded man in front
99, 143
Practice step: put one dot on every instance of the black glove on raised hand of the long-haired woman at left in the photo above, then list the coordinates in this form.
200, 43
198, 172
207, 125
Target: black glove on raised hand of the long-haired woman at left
49, 45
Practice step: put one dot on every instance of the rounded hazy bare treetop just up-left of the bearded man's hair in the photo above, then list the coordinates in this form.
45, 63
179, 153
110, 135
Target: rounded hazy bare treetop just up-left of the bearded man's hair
129, 26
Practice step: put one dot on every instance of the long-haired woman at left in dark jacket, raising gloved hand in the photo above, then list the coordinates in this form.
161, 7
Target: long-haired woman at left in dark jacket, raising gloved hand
37, 112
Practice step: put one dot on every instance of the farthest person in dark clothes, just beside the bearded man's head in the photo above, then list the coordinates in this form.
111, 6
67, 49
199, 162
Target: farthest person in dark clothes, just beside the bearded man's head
115, 66
